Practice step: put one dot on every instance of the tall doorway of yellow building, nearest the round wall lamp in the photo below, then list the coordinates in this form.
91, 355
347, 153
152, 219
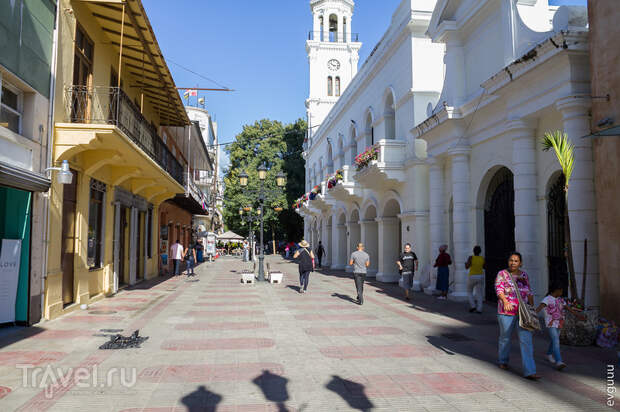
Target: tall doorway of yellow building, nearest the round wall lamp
69, 203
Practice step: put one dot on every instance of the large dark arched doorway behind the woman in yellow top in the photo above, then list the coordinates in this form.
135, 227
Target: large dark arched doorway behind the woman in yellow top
499, 227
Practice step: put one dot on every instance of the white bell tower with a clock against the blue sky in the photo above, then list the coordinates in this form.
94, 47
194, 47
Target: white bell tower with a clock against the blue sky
333, 54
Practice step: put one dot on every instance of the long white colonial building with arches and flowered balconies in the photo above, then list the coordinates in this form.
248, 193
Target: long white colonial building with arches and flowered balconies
456, 97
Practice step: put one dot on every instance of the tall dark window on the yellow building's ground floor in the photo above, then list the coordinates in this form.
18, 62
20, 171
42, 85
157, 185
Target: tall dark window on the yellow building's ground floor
95, 224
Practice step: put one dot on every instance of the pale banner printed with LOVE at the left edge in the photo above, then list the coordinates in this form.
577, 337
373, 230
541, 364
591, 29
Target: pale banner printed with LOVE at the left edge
10, 256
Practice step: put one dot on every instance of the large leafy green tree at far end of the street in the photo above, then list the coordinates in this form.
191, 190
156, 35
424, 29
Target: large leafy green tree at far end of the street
279, 147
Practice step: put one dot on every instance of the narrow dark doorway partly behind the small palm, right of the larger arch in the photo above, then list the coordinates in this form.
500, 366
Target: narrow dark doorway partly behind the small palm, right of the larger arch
556, 261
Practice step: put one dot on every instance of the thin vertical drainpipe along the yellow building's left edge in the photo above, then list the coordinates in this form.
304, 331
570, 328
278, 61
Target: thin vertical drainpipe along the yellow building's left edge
49, 147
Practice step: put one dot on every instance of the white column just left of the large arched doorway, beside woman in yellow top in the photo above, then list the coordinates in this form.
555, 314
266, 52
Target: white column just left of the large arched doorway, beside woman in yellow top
461, 219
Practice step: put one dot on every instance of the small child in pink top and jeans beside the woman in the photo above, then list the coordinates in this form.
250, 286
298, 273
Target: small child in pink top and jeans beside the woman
554, 307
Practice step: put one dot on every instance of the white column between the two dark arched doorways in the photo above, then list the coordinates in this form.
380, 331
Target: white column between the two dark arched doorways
525, 203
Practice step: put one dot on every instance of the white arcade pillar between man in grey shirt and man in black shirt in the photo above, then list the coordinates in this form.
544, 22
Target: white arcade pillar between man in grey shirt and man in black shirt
388, 249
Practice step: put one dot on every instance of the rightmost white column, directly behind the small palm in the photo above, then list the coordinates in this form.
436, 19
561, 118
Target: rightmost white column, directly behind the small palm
581, 199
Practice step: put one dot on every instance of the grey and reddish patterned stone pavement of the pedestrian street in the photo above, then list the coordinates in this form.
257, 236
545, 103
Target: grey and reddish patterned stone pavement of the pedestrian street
217, 345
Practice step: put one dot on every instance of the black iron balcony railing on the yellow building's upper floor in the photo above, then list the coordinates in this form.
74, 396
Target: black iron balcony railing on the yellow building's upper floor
110, 105
